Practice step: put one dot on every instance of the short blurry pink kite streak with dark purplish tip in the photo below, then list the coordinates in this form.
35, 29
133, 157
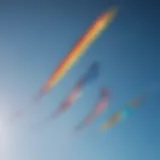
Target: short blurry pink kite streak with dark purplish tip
96, 111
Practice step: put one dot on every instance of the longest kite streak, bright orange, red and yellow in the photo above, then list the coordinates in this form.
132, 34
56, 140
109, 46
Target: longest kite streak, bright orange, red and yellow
78, 50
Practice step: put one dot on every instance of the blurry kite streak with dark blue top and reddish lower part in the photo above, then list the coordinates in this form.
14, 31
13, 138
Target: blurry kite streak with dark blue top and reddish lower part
91, 74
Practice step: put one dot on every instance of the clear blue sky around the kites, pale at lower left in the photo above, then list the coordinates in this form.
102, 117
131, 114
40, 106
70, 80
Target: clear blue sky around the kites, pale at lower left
36, 35
